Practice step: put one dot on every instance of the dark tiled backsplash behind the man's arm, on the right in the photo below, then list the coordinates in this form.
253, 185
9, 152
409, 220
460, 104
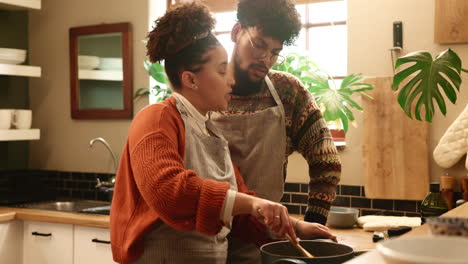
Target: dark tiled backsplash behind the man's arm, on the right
295, 199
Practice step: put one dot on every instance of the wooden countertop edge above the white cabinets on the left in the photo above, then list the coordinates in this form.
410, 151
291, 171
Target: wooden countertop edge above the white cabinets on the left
10, 213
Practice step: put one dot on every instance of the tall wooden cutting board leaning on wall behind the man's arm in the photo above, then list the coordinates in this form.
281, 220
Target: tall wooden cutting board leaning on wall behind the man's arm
395, 148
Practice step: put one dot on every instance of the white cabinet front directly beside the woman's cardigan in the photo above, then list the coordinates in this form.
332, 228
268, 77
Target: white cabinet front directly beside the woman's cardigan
92, 246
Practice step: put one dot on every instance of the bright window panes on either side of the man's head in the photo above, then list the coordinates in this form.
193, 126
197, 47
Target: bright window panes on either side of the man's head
323, 35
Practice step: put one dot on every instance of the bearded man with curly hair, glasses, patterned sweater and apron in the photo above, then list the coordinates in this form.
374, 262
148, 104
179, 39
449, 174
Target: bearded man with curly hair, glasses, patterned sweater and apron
271, 115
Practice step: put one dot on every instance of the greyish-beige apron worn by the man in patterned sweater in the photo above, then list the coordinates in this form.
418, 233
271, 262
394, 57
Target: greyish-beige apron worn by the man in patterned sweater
257, 143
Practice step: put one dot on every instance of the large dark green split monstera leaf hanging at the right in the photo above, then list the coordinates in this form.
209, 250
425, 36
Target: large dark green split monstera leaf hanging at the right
426, 77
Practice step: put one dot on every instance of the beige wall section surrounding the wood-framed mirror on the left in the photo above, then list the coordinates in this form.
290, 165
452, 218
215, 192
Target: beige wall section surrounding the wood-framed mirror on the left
64, 142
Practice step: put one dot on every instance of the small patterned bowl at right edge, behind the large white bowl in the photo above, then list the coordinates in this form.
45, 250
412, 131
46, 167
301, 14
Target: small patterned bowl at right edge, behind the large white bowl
448, 226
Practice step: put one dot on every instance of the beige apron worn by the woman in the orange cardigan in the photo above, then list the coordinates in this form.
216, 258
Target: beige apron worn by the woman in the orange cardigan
209, 157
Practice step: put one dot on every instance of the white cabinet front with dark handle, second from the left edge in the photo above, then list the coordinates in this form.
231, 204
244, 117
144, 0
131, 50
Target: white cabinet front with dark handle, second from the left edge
47, 243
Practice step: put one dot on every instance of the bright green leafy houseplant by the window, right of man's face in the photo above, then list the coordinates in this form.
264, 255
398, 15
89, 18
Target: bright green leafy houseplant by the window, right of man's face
335, 101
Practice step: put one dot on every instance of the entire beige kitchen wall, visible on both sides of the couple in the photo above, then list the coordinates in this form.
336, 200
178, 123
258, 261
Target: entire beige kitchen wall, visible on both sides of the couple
64, 142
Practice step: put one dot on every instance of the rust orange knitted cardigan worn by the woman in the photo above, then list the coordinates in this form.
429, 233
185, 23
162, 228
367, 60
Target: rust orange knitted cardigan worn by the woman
153, 185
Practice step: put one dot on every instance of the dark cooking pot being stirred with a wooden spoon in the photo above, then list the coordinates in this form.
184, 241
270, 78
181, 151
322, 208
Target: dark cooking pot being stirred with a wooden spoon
324, 252
